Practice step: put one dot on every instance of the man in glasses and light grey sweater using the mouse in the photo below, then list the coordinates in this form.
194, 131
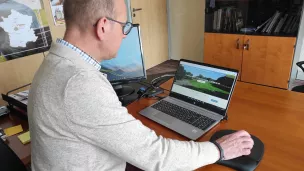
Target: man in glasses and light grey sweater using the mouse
76, 119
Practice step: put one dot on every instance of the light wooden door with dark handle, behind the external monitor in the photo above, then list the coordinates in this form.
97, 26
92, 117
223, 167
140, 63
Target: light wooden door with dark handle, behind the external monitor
152, 17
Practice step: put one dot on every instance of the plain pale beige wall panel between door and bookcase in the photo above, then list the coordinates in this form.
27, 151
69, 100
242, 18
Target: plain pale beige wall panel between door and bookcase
186, 21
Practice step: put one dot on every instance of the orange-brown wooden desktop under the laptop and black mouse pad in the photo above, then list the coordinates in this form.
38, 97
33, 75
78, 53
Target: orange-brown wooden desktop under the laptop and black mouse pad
275, 116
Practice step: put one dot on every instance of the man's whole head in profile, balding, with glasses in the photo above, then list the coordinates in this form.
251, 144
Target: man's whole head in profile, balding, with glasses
90, 28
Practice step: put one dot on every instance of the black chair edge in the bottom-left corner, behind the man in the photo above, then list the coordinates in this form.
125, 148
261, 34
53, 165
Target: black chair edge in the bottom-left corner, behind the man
9, 161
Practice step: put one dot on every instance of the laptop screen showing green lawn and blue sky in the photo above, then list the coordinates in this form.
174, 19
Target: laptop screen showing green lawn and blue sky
204, 85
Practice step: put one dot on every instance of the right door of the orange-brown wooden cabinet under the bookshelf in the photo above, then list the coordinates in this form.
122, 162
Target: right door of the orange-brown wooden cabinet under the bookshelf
267, 60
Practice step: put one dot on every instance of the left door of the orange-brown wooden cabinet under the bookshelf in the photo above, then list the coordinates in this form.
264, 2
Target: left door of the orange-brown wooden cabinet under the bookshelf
224, 50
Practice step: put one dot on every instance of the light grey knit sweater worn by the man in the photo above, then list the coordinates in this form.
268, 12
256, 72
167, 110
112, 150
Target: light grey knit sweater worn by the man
77, 123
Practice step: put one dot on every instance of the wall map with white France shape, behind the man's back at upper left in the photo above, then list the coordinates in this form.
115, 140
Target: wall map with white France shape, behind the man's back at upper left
24, 29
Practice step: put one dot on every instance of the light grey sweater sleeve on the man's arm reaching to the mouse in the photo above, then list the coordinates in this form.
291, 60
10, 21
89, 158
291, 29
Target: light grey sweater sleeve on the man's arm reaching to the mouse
96, 116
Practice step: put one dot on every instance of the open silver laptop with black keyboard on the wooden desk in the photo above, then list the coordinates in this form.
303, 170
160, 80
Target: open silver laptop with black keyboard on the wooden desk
198, 100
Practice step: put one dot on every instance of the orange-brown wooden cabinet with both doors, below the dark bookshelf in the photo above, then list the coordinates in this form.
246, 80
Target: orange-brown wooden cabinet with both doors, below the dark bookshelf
264, 60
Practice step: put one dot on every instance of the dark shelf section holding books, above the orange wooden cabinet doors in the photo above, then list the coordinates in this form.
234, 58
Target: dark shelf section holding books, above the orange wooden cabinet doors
280, 18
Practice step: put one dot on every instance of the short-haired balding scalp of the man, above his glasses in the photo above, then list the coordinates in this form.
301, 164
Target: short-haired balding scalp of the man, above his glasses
85, 13
